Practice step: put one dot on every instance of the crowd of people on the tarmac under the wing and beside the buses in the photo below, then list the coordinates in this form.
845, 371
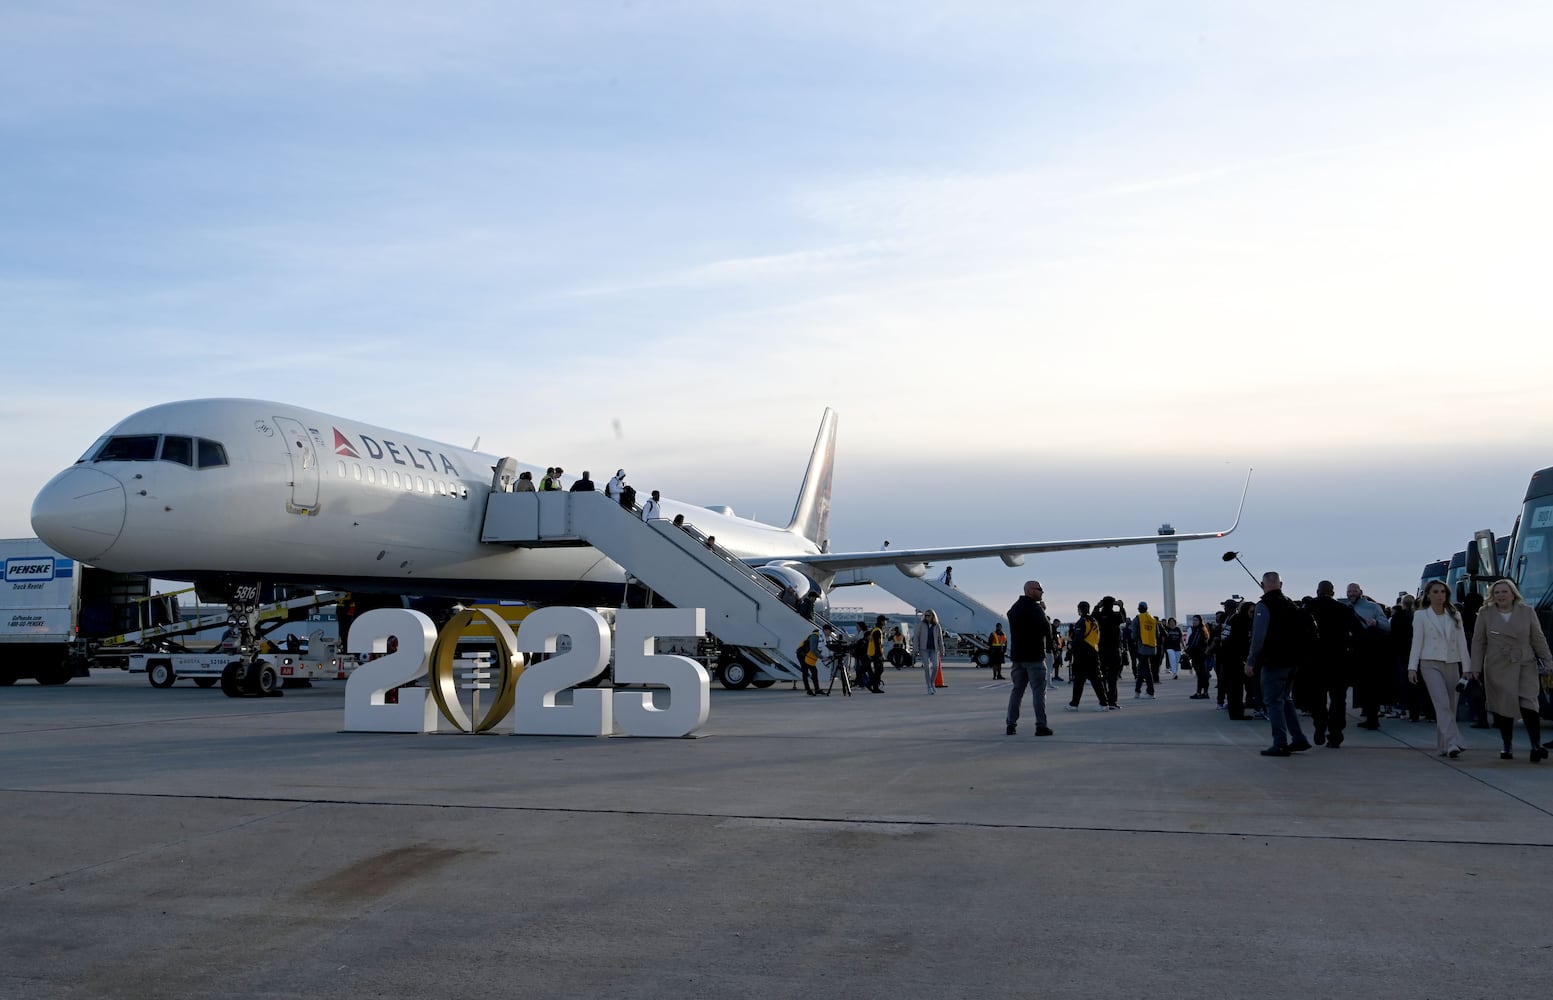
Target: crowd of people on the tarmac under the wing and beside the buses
1280, 661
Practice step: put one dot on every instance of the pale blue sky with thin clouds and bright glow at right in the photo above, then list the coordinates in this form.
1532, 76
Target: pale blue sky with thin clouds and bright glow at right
1065, 271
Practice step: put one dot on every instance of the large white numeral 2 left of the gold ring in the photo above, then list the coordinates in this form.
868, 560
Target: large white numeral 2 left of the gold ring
366, 703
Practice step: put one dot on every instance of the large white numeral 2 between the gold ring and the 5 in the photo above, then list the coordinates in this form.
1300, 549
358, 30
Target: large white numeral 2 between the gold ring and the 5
591, 710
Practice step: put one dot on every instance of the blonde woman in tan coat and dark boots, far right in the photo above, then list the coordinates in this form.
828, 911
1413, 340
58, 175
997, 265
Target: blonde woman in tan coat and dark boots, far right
1506, 647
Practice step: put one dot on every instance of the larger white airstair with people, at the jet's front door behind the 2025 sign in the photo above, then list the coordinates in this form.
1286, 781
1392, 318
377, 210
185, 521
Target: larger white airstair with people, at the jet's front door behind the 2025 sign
743, 608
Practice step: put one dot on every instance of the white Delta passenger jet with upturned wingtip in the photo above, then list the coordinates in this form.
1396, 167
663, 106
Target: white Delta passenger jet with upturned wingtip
243, 490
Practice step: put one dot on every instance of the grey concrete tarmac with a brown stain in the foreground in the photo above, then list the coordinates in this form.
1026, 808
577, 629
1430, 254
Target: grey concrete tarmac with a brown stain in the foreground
173, 844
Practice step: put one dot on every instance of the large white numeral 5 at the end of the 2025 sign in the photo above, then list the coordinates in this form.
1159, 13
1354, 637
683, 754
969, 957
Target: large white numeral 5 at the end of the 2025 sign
687, 682
